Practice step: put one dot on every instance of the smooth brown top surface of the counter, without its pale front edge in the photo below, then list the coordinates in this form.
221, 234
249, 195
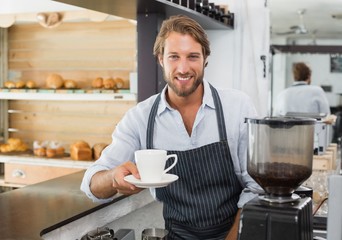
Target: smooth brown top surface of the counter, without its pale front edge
32, 211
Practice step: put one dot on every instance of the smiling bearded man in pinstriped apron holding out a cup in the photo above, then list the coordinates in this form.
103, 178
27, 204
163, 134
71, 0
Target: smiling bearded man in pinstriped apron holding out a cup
206, 129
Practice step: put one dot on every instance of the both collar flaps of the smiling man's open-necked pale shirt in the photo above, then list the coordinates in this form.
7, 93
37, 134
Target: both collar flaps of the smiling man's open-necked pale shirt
207, 99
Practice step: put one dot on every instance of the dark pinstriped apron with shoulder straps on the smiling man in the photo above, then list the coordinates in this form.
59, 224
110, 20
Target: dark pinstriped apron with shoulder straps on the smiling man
202, 203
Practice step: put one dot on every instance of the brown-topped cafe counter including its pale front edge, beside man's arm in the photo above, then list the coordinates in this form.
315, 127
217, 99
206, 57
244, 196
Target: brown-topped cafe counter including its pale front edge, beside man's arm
52, 209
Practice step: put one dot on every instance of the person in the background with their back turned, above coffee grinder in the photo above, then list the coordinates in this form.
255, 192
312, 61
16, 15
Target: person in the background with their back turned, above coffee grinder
301, 97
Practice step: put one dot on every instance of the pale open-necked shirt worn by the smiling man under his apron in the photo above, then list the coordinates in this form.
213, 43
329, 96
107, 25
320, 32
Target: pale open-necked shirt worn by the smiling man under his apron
170, 134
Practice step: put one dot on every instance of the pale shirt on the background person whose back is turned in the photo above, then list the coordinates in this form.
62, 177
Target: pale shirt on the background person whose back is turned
301, 97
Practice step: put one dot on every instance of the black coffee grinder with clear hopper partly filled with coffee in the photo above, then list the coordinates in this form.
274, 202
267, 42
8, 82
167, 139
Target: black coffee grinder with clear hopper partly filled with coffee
280, 154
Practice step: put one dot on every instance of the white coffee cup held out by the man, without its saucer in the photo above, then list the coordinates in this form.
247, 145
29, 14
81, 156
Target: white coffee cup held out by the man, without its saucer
151, 164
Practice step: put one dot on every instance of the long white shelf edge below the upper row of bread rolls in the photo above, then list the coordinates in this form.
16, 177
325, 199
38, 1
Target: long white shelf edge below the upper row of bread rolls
68, 96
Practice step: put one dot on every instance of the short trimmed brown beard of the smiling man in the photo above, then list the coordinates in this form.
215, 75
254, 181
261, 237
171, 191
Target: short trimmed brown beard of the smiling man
184, 92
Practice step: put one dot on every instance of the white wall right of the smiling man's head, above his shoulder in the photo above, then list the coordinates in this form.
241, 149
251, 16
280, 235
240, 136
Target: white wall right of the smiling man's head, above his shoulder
235, 61
